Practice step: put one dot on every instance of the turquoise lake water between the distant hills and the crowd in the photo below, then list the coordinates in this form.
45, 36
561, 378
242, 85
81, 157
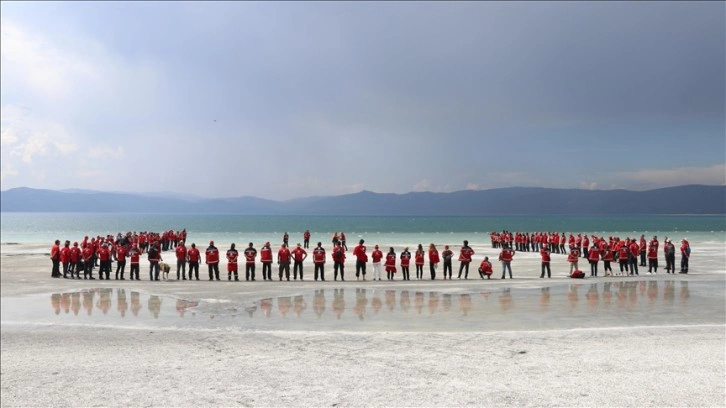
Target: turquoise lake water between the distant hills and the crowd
46, 227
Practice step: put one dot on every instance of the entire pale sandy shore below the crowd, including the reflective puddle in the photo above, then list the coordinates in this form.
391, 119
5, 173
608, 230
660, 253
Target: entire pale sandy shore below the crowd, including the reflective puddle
647, 341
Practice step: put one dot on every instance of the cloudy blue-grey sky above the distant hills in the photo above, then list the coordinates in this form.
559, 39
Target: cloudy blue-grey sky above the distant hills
287, 100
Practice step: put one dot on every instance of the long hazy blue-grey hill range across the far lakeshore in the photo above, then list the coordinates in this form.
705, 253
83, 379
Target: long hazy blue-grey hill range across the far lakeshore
690, 199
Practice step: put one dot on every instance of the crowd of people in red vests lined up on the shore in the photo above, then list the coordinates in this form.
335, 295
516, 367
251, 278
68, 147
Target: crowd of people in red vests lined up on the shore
629, 253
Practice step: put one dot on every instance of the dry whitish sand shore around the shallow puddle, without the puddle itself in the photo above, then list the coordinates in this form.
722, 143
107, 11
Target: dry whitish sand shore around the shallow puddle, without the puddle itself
633, 365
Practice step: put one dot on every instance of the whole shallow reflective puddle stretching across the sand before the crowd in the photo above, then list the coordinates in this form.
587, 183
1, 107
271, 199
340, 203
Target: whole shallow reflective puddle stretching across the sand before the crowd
576, 305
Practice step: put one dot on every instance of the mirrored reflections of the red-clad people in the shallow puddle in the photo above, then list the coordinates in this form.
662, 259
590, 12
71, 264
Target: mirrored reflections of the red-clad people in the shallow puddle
603, 298
